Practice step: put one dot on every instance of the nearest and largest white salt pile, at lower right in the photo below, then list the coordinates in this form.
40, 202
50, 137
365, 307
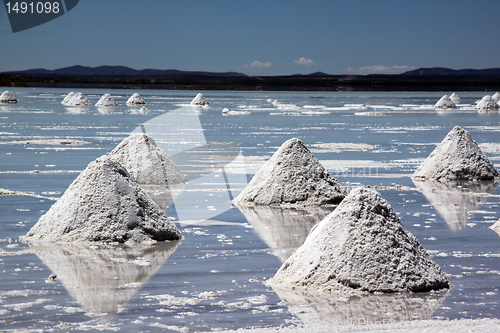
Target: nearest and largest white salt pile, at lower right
361, 245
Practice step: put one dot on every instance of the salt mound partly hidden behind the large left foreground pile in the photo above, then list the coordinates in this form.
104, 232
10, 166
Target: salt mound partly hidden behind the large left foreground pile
146, 162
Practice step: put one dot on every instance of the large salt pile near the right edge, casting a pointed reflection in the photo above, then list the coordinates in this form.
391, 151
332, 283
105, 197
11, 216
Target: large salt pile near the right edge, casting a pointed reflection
457, 157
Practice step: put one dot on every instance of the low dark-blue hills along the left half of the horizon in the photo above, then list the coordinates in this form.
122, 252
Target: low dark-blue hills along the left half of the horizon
120, 71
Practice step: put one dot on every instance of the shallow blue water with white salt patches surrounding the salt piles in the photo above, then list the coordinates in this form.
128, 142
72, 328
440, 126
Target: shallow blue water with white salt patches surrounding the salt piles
214, 277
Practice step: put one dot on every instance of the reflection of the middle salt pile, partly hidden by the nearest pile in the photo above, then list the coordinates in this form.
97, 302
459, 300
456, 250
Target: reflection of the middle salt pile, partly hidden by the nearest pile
283, 229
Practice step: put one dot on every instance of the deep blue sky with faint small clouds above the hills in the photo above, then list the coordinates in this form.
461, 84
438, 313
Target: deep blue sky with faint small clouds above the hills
262, 37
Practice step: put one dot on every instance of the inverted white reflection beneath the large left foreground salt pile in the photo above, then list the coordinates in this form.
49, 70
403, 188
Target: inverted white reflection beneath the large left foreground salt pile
103, 278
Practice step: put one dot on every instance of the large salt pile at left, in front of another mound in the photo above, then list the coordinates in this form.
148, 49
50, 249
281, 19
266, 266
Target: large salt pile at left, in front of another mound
103, 204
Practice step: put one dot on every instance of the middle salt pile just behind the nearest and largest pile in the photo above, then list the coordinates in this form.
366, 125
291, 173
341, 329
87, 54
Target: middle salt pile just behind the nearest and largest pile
292, 176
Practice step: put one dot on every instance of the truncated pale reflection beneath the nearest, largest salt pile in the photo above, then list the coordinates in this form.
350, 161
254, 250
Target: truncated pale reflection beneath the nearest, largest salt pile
342, 310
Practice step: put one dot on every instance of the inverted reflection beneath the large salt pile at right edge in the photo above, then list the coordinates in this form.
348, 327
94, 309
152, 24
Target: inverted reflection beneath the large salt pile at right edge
456, 201
